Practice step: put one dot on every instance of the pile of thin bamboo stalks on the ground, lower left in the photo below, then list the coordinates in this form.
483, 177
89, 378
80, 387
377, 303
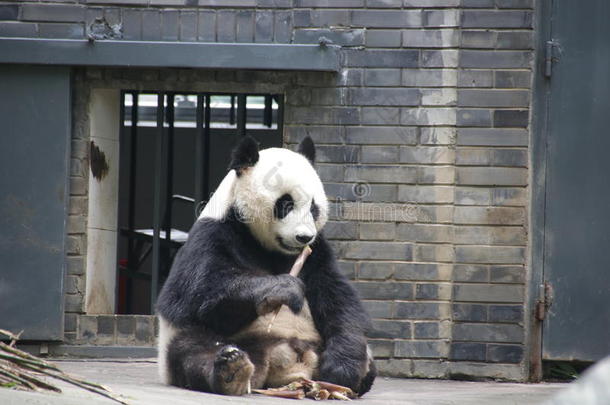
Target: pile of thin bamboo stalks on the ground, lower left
21, 370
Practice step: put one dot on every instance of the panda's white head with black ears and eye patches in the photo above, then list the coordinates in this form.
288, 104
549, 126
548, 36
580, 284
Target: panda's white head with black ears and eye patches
279, 195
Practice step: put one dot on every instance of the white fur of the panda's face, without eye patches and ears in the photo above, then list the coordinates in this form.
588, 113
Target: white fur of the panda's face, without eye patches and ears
278, 172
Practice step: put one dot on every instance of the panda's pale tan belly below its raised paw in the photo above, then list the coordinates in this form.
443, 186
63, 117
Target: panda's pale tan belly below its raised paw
290, 347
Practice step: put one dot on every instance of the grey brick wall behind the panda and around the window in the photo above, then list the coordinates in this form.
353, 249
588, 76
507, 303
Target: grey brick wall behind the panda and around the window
423, 146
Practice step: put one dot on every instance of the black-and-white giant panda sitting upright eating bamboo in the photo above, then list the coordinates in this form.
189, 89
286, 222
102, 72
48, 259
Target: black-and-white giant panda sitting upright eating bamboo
231, 276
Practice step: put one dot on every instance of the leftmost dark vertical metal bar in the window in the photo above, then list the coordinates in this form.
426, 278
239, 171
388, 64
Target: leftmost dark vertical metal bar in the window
133, 155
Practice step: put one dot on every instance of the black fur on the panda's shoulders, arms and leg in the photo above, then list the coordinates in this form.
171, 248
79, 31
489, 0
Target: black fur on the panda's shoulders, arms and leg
218, 284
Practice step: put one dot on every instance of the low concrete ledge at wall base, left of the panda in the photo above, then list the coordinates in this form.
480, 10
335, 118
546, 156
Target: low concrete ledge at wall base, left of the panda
107, 352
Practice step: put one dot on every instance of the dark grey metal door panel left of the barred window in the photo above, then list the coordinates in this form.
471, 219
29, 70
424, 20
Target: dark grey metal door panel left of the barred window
34, 155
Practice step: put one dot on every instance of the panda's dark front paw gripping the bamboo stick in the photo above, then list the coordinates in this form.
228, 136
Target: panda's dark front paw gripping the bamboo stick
285, 290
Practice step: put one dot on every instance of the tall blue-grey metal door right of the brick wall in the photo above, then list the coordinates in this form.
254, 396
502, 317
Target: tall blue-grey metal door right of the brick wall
577, 220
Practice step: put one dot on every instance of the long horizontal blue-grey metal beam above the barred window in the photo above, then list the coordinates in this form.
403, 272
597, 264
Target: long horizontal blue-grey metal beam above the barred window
170, 54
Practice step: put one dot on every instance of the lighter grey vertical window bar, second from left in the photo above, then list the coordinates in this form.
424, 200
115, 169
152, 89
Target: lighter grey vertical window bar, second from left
157, 203
